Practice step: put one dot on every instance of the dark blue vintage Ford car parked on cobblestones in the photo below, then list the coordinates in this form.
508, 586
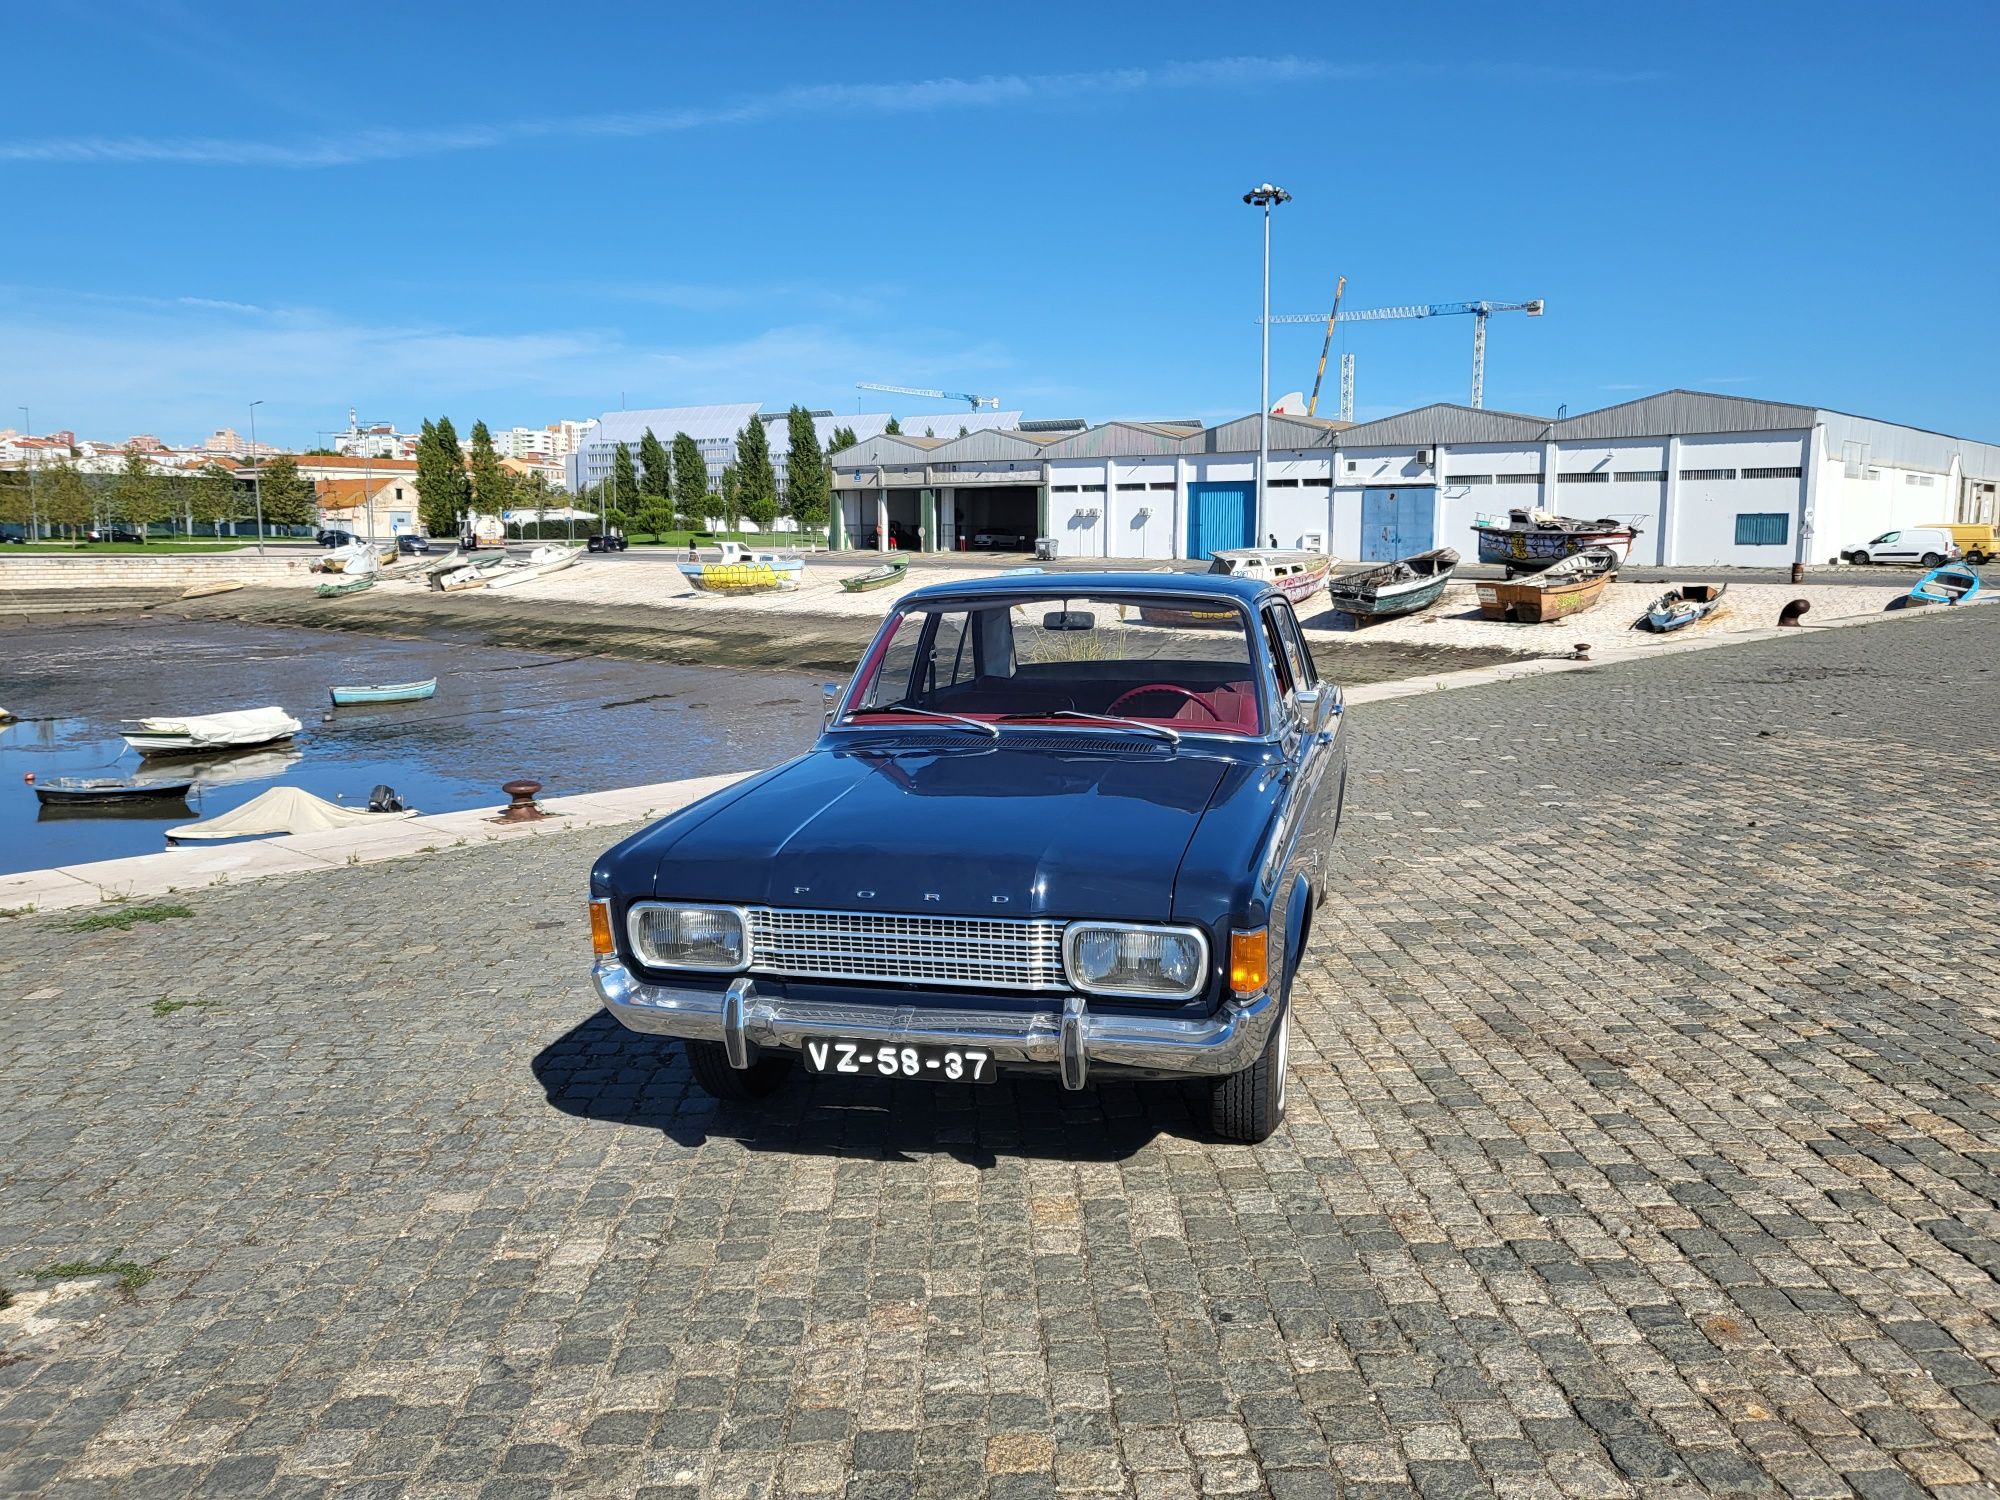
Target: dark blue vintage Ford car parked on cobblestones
1063, 823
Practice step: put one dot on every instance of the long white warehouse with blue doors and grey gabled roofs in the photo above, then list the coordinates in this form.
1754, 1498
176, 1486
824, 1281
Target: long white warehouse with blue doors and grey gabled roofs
1705, 479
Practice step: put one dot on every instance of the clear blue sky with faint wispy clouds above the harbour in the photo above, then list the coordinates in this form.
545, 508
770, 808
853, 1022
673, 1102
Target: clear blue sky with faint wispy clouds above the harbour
523, 213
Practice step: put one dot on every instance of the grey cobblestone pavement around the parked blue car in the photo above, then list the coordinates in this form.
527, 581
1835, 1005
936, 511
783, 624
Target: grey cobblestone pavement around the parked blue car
1643, 1143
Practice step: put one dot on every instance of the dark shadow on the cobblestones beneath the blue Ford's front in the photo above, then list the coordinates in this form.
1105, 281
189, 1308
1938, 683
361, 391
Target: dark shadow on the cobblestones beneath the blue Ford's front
599, 1071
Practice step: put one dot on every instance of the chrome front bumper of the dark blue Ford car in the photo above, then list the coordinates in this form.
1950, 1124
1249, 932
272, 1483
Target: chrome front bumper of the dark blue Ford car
1069, 1039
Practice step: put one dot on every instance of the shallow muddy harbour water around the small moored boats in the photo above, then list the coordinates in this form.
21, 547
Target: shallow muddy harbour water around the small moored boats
571, 723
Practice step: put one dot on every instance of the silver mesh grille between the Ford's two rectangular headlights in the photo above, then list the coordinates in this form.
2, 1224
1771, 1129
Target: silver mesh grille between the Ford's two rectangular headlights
957, 951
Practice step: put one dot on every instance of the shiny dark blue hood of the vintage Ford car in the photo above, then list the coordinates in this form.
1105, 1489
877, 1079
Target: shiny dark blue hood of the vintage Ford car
949, 833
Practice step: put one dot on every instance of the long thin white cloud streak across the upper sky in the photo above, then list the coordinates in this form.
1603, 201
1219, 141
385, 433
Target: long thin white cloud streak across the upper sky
917, 97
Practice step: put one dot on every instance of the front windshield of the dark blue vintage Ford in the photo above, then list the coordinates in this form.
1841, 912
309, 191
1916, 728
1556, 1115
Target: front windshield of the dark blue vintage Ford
1183, 665
